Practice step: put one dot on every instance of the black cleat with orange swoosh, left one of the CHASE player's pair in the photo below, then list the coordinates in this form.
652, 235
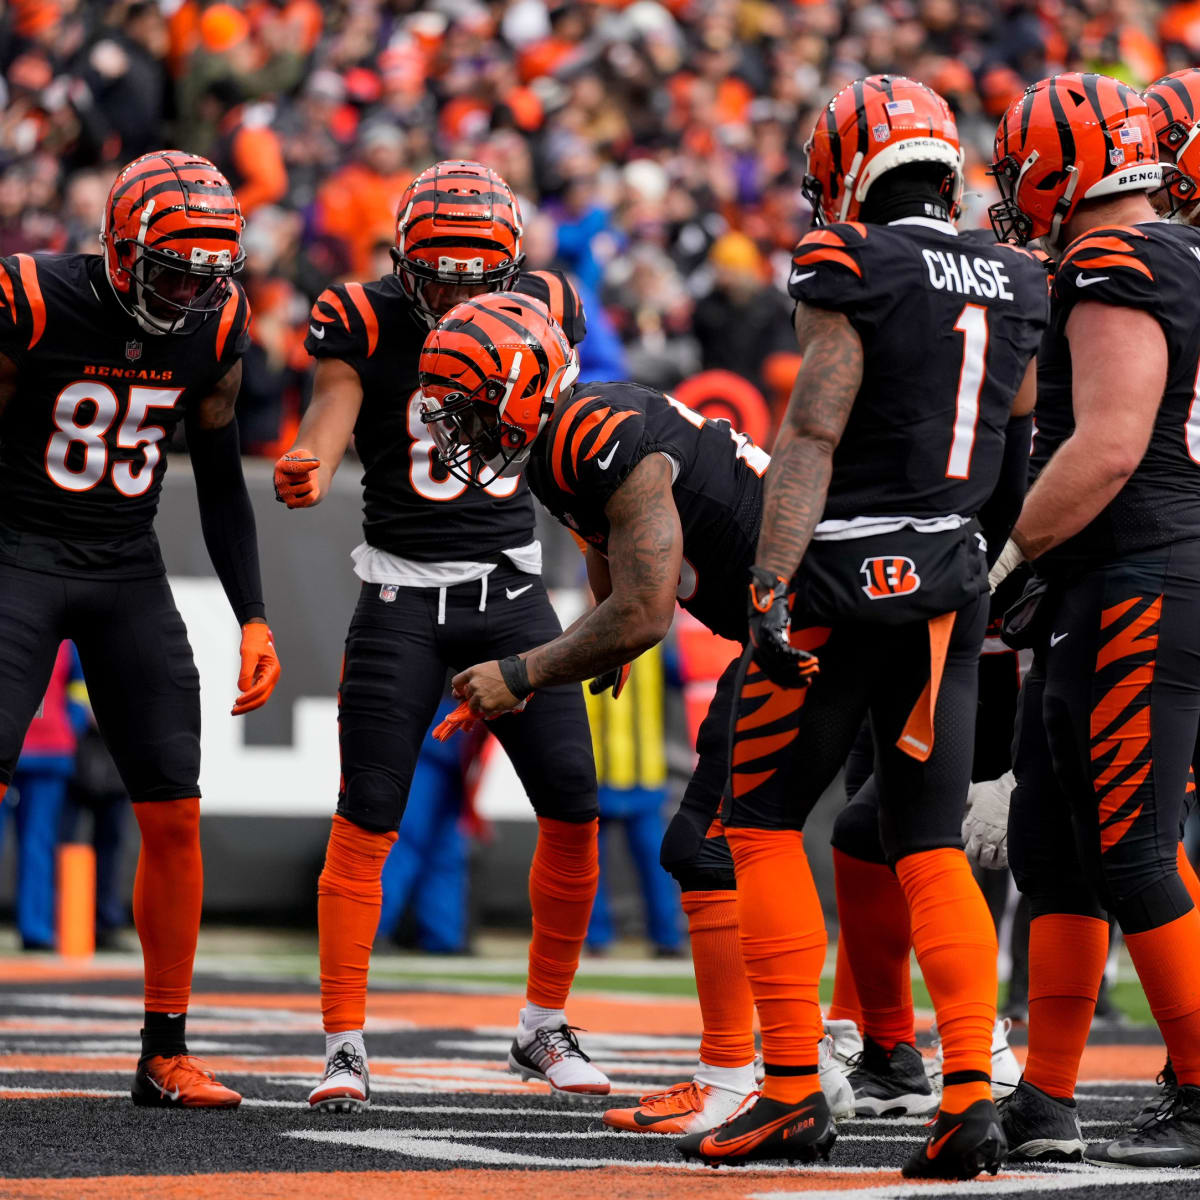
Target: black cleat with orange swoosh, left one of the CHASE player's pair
766, 1132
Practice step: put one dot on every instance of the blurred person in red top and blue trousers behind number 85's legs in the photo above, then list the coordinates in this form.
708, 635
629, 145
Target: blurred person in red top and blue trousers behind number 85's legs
38, 793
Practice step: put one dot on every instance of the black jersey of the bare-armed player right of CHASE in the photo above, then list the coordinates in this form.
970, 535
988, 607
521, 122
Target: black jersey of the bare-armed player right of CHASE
1155, 268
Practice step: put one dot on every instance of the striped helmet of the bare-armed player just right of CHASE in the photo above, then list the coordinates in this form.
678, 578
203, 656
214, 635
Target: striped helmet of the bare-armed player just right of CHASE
1070, 139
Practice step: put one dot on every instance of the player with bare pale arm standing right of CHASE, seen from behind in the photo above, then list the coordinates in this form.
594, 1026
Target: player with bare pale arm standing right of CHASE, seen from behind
1112, 525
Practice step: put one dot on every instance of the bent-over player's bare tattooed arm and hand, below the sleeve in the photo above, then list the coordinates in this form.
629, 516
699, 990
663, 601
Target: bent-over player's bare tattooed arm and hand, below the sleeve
645, 555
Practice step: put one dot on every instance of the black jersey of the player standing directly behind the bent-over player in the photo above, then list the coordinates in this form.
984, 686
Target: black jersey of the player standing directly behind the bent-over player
413, 507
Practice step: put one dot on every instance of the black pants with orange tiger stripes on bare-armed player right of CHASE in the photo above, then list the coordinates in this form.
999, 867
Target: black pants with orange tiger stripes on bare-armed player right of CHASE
1108, 733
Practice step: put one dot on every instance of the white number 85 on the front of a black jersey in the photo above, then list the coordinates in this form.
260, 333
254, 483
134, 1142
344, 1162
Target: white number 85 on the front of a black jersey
129, 478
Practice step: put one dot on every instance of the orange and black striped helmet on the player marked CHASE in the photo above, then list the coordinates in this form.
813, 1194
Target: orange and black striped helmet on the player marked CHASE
871, 128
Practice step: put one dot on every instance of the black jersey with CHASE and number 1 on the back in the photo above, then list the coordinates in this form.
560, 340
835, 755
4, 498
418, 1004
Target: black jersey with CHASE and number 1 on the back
950, 325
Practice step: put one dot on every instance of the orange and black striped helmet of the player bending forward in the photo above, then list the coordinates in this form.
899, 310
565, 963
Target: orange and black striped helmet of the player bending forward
491, 373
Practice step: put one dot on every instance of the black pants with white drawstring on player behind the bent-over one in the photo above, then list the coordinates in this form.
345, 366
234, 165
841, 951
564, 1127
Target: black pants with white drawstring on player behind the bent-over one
399, 649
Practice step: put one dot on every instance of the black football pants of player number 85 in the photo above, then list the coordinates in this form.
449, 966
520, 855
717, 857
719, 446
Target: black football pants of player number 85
137, 663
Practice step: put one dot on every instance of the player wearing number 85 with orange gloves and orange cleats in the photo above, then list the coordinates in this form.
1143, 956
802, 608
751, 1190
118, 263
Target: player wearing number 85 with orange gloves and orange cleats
101, 358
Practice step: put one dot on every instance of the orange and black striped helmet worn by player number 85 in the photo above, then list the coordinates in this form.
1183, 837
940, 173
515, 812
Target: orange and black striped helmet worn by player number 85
172, 241
